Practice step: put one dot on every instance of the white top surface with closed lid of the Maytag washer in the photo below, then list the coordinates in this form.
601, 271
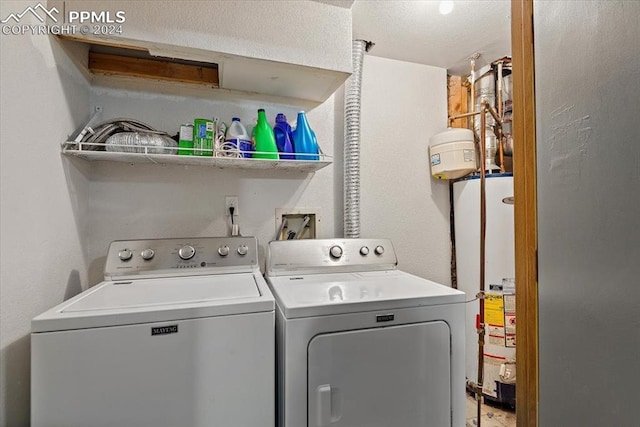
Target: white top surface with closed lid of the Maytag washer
123, 302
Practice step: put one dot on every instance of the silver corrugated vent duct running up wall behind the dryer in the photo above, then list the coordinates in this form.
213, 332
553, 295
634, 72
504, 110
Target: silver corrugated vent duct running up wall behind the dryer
352, 108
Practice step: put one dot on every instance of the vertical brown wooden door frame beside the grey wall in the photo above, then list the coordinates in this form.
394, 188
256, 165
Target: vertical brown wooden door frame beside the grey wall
526, 229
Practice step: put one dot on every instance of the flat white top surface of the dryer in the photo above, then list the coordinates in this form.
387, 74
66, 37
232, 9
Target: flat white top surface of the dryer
339, 293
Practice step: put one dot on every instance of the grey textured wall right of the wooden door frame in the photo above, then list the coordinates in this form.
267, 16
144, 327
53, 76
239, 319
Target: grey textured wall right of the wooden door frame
587, 101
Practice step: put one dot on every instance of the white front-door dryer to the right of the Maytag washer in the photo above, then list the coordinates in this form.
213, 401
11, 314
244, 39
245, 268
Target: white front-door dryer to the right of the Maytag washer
361, 344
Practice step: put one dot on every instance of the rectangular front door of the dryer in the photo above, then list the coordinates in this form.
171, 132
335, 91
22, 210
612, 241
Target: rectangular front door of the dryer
398, 376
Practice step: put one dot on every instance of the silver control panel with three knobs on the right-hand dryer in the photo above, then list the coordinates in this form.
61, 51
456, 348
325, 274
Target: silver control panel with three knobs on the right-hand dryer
329, 255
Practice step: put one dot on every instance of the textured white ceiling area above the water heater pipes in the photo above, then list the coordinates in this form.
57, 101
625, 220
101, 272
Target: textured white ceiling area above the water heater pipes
415, 31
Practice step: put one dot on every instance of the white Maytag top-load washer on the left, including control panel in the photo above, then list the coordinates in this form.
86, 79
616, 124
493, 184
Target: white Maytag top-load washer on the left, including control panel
180, 333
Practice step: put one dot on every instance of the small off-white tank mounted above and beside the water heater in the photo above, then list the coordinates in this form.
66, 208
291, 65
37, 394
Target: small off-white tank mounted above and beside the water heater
452, 153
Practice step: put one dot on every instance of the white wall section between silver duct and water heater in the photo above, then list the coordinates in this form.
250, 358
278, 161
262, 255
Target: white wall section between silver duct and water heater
403, 104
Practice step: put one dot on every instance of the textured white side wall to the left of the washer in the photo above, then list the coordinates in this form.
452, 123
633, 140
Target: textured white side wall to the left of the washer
43, 257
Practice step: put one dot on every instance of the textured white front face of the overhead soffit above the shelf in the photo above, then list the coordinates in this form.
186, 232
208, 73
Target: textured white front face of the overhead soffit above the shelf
291, 31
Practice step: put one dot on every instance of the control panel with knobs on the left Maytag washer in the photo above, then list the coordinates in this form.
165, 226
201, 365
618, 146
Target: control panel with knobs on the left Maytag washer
173, 257
